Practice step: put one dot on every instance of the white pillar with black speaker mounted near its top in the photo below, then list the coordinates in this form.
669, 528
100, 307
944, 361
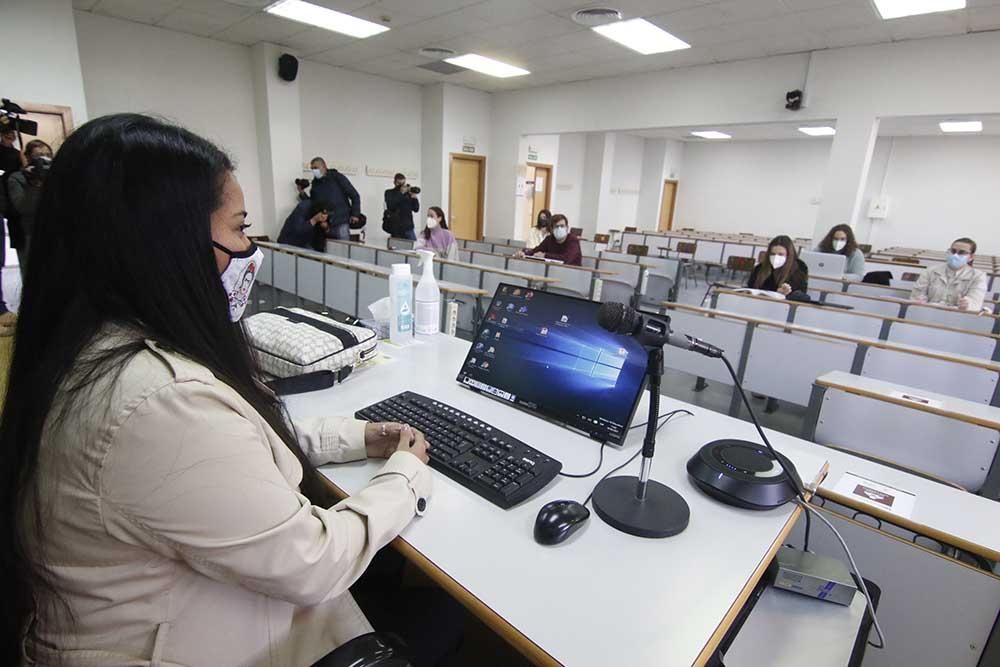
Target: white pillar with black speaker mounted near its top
279, 137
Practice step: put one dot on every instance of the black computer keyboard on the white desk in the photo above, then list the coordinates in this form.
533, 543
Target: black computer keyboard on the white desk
483, 459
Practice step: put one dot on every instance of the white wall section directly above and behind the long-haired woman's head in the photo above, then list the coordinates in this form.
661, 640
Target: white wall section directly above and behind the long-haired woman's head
199, 83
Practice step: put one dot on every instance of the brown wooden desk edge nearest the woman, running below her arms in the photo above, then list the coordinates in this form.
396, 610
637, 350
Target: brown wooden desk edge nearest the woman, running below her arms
477, 607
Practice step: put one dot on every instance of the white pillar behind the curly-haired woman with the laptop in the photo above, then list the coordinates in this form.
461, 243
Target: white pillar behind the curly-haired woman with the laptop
847, 171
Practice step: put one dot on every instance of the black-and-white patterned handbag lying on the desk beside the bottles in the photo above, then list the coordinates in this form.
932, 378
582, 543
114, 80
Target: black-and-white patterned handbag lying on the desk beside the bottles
291, 341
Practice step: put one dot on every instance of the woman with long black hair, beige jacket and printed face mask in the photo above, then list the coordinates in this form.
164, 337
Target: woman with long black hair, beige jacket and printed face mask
158, 508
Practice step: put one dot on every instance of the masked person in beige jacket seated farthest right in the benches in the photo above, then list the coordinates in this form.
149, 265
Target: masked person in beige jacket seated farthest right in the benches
954, 283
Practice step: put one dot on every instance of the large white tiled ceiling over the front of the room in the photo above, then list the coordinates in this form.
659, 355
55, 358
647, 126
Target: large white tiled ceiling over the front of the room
539, 35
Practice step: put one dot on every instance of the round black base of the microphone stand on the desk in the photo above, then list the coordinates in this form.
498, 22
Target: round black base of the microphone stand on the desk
661, 513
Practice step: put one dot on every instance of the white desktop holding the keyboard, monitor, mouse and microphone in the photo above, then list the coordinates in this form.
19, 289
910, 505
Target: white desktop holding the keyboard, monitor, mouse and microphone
579, 603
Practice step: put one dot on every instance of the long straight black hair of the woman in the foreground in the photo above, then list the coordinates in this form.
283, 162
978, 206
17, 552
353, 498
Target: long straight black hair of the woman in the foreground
123, 238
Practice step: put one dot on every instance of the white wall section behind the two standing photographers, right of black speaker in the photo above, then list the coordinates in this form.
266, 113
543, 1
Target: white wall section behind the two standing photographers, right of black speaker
362, 121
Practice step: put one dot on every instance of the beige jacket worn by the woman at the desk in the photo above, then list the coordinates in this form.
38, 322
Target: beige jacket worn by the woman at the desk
177, 534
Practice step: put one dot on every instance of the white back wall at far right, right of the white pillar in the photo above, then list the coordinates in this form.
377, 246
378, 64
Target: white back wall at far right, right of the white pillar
940, 188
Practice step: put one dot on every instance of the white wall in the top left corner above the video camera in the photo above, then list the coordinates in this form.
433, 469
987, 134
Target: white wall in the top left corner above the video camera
40, 60
